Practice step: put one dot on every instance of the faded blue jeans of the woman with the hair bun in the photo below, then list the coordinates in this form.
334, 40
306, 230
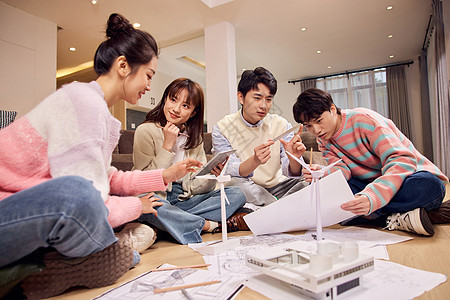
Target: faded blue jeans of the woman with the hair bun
66, 213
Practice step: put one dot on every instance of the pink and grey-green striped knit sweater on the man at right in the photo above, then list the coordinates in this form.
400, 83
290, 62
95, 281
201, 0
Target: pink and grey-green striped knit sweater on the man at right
373, 149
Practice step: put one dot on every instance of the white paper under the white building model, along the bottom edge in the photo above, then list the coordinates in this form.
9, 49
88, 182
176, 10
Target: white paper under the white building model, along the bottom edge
388, 281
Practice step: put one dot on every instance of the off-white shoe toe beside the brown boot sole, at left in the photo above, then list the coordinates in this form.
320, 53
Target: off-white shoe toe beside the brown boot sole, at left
140, 236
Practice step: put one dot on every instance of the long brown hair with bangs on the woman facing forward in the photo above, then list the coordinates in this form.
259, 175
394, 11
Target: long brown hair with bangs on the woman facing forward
194, 126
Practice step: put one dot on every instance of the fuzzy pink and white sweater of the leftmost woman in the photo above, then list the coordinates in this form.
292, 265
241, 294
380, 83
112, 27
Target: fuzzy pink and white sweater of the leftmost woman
72, 132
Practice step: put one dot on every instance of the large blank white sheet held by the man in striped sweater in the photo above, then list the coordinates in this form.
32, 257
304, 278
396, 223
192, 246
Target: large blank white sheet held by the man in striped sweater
297, 211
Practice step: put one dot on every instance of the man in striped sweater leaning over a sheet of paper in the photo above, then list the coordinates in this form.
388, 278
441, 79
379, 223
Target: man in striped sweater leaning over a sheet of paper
395, 186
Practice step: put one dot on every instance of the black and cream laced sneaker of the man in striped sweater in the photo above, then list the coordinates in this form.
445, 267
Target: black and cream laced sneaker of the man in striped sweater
416, 221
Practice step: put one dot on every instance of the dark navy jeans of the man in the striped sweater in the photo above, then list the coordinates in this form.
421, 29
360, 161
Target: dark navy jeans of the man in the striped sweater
421, 189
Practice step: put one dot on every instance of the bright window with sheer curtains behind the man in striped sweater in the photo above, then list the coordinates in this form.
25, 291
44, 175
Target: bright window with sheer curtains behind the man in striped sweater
363, 89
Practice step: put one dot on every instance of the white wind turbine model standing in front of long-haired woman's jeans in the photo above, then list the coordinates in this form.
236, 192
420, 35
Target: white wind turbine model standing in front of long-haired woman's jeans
225, 244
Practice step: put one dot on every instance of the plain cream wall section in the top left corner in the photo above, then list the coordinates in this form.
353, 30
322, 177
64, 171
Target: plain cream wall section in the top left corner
28, 59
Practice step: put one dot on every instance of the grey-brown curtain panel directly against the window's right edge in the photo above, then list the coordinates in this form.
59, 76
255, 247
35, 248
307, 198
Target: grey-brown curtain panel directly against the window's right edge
398, 98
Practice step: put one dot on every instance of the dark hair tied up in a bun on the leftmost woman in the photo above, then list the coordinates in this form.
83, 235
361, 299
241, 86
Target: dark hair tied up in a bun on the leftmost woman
138, 46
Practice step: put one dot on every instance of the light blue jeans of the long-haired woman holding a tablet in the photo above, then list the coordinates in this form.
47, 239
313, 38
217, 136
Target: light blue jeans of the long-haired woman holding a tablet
184, 220
